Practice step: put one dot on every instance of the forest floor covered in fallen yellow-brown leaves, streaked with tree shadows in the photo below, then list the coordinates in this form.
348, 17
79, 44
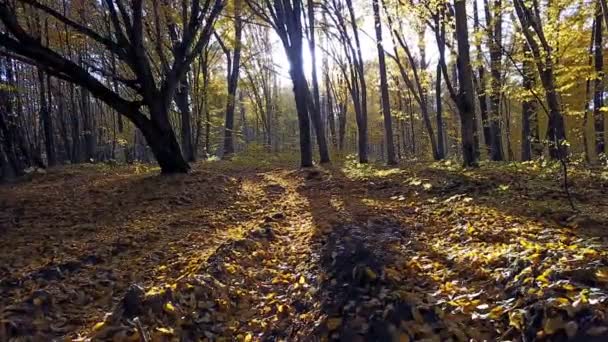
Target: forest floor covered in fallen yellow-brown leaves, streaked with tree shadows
244, 250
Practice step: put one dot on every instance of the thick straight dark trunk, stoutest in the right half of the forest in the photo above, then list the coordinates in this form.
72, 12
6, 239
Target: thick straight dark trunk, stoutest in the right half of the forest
465, 90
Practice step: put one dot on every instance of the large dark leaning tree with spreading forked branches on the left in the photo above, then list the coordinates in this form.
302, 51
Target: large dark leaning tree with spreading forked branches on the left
134, 36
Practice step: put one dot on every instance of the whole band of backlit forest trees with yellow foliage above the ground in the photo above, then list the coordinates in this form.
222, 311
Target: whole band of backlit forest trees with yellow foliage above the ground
203, 77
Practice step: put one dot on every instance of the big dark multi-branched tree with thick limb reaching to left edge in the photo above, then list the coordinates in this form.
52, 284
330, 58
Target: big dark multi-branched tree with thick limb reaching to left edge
147, 91
